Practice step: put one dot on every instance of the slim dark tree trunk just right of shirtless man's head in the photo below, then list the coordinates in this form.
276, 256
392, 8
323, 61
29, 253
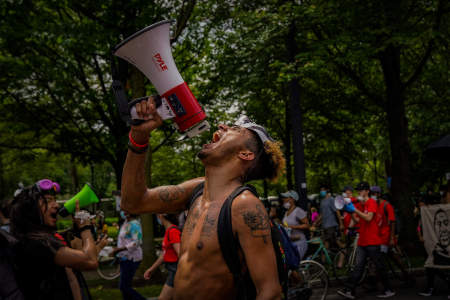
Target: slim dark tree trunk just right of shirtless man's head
296, 121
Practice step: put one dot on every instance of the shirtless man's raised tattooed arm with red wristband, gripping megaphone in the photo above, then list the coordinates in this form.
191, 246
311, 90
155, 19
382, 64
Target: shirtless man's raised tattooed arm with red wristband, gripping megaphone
136, 197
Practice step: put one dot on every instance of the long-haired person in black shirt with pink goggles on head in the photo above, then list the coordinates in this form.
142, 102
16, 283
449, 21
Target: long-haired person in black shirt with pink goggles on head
44, 262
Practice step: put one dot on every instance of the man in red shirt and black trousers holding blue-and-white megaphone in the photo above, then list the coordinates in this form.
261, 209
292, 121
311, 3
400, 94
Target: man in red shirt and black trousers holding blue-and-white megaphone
368, 243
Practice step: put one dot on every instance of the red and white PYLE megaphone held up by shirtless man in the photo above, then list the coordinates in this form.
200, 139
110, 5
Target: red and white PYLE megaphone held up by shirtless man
149, 51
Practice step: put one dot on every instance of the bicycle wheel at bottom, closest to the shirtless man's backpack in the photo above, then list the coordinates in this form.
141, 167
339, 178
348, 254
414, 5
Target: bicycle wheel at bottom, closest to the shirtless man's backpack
312, 283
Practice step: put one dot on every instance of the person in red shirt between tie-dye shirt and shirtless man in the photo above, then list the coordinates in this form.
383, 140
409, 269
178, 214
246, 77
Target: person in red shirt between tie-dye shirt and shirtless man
169, 255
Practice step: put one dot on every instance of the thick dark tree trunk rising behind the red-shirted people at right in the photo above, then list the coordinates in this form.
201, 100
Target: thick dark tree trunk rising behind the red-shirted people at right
398, 137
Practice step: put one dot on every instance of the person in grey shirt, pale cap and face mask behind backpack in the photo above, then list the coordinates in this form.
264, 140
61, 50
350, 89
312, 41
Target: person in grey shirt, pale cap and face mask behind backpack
296, 220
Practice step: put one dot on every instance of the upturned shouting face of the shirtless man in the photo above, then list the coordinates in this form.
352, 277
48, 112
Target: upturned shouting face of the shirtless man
226, 142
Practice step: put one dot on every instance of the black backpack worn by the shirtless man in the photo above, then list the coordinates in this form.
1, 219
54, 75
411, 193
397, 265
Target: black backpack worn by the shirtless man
229, 245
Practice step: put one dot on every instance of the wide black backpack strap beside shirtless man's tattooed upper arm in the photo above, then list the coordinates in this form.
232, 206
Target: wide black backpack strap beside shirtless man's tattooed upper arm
229, 244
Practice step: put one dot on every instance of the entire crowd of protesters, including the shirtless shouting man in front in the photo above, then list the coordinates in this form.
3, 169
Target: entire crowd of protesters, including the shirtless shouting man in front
201, 263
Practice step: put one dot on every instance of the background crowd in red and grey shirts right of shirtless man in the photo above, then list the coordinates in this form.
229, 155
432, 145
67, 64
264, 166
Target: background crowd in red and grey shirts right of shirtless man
368, 212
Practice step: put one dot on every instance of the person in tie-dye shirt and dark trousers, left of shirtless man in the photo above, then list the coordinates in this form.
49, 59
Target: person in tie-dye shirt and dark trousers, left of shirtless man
129, 251
